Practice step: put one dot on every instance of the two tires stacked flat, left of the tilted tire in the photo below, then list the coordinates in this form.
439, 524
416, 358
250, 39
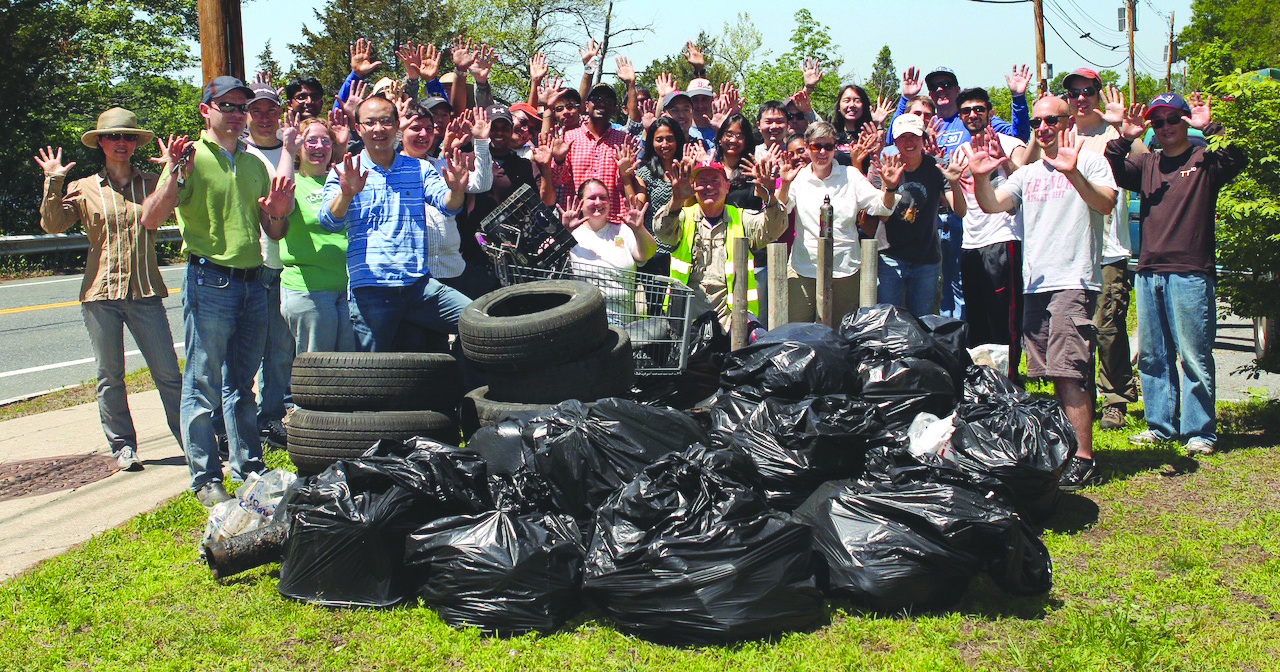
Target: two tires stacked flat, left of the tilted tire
346, 401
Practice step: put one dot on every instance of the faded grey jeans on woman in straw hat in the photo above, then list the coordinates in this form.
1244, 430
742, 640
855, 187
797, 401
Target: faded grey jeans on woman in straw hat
149, 324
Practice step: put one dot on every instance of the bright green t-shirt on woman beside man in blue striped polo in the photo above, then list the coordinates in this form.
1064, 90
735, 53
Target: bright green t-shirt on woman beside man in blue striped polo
316, 260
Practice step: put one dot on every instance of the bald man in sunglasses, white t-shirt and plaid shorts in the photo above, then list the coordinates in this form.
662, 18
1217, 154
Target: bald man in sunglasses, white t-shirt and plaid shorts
1066, 195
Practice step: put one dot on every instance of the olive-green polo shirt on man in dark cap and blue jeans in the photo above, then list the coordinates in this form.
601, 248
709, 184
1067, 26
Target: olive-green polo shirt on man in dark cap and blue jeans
218, 211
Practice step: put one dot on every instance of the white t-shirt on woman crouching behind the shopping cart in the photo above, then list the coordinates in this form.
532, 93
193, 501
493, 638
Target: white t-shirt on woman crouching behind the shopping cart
609, 254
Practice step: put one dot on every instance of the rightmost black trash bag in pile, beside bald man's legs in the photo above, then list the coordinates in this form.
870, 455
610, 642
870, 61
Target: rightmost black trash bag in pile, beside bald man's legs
1021, 444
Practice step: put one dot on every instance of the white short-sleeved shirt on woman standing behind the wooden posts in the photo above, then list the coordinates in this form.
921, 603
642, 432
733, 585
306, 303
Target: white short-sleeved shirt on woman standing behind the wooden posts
851, 193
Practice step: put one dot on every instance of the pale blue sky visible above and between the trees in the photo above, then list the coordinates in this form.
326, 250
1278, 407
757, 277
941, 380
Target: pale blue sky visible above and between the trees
980, 42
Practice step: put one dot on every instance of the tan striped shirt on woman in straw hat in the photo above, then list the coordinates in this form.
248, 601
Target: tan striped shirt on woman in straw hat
122, 254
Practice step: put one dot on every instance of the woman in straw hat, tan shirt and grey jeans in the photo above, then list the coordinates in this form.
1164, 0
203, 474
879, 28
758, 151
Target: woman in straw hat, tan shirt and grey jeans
122, 281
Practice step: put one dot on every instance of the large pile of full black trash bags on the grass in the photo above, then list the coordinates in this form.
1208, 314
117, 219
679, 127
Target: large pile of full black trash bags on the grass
874, 463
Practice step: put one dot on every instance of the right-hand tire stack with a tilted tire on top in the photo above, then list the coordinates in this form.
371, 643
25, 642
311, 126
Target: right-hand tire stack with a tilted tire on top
541, 344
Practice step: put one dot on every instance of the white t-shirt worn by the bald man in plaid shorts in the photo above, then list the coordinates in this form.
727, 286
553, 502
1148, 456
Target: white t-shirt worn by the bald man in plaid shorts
1062, 235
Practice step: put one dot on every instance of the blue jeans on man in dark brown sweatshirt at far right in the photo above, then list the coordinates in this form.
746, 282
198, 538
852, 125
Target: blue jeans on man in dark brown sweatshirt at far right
1177, 321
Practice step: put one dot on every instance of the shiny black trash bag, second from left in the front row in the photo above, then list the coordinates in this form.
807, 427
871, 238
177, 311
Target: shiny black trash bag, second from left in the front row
504, 573
